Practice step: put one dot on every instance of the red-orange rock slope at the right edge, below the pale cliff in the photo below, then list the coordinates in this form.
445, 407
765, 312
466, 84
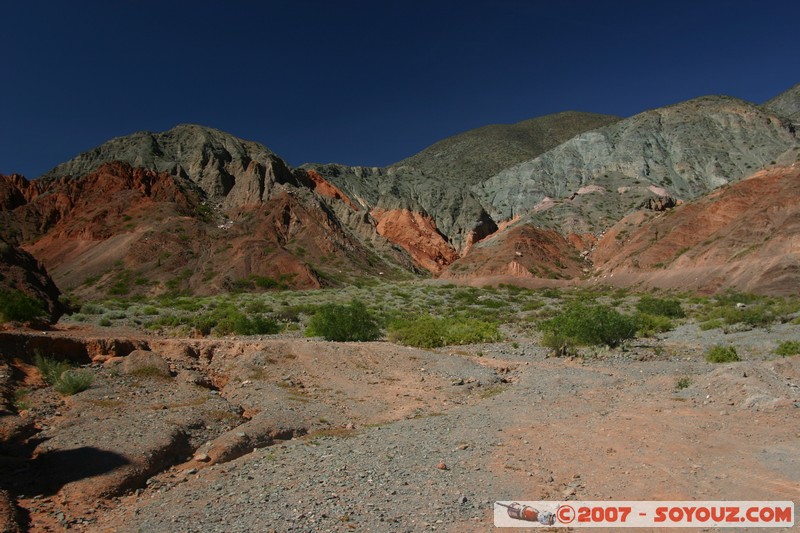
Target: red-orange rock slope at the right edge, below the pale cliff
746, 235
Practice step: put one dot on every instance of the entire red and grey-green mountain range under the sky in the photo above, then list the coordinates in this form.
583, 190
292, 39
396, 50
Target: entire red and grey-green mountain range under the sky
700, 195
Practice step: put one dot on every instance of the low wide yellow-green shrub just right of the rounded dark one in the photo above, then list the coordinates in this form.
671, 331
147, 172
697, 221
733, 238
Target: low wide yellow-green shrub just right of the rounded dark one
429, 332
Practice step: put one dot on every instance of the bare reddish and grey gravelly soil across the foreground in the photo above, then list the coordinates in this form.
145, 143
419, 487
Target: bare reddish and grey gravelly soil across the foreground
291, 434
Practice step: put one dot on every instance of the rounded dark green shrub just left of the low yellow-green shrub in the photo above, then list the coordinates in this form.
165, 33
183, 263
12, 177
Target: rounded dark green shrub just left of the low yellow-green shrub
341, 323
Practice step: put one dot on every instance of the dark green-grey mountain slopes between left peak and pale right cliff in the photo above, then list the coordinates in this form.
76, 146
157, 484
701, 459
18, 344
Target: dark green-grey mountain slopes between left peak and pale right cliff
436, 180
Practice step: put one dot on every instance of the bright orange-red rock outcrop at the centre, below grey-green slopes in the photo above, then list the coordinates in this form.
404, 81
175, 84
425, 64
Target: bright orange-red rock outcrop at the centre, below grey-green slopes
418, 235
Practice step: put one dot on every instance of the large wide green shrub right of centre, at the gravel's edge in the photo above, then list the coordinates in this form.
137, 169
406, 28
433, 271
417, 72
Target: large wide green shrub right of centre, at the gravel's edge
591, 326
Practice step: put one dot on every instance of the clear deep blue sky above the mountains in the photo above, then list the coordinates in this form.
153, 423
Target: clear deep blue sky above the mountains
365, 82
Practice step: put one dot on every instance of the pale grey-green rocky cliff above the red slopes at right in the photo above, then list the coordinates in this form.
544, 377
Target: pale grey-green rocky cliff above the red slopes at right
688, 149
